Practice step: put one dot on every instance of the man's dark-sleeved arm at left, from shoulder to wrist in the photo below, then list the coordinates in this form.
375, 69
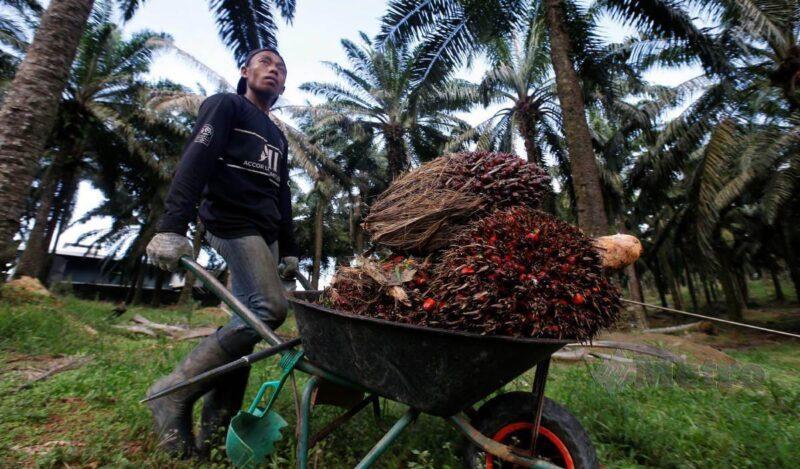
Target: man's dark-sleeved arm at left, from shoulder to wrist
206, 144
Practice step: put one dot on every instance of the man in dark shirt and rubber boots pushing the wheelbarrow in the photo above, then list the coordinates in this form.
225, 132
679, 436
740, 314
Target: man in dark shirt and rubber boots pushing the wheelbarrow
235, 165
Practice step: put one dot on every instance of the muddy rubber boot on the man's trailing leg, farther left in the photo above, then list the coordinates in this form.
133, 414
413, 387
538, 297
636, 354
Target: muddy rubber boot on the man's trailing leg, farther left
172, 414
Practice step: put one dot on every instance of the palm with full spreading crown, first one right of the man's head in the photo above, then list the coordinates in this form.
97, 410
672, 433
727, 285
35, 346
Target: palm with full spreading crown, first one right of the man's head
382, 99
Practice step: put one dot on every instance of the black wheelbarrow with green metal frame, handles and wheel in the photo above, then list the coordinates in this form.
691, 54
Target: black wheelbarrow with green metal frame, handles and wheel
437, 372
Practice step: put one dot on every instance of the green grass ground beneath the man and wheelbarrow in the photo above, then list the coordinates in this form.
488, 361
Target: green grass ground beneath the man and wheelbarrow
746, 415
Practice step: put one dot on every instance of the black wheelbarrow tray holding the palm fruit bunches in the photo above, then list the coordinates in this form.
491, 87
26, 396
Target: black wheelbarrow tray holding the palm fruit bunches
437, 371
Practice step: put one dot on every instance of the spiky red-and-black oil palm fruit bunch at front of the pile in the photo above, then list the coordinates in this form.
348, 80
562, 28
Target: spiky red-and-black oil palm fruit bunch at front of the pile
521, 272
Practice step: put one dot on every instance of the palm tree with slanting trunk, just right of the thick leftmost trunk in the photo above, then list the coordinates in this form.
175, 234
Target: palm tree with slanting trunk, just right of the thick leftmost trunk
102, 91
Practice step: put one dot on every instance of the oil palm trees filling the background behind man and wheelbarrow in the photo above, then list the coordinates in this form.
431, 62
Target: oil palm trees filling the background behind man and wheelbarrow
704, 173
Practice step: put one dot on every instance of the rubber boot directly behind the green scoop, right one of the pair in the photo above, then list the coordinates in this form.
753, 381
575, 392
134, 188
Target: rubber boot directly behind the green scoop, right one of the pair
219, 406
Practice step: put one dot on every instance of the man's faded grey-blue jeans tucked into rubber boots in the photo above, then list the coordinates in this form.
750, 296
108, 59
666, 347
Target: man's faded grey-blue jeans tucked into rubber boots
255, 282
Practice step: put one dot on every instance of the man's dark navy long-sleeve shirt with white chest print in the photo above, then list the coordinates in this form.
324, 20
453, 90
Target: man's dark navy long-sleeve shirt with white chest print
236, 166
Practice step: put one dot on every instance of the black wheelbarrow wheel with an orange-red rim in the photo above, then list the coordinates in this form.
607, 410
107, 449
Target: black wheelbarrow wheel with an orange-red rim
508, 418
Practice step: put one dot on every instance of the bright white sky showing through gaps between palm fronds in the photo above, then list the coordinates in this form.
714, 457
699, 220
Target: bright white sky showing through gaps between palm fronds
313, 37
